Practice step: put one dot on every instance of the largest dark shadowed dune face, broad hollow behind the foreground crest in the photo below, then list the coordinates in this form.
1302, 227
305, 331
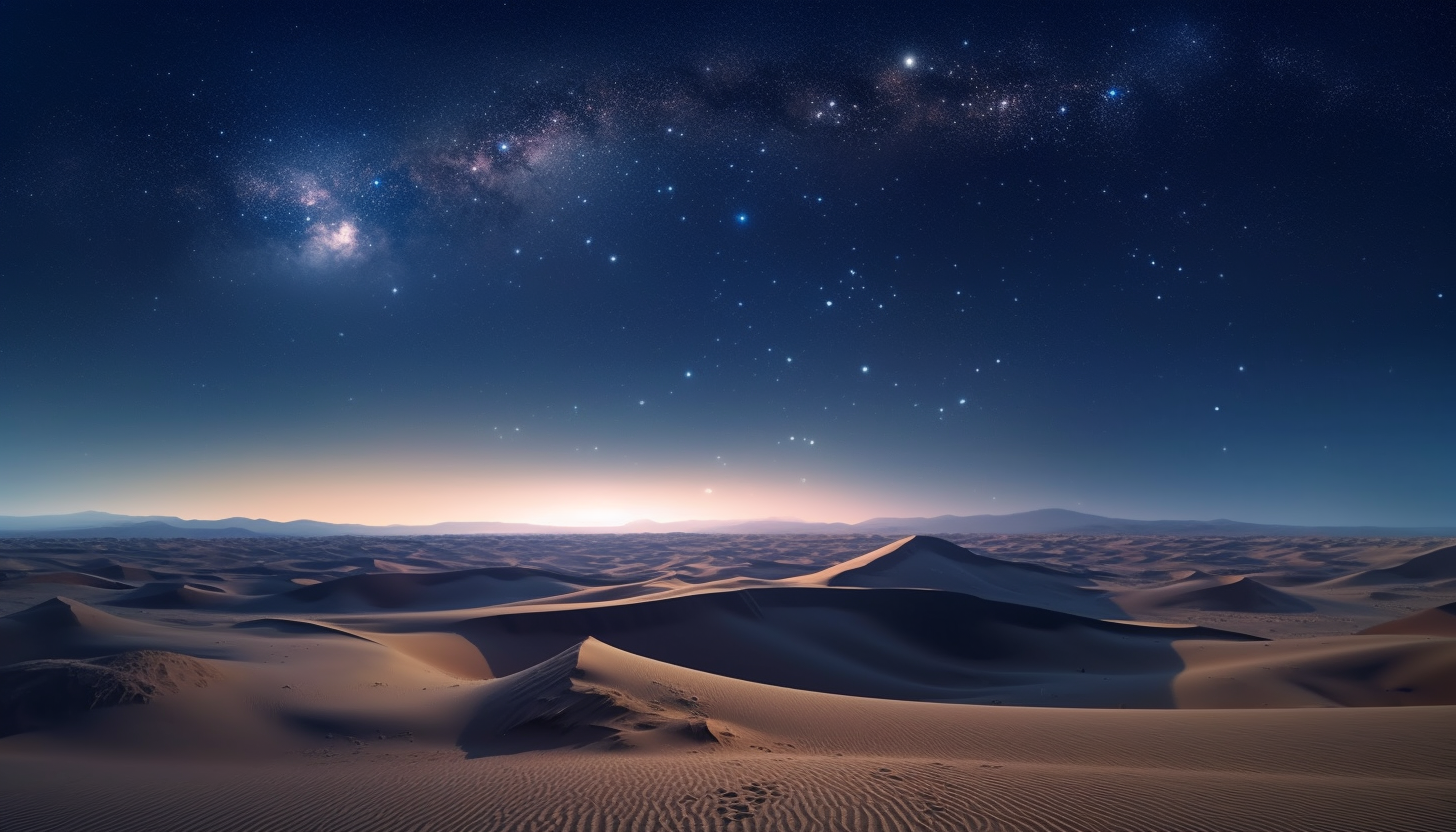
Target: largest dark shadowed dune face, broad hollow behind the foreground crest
889, 643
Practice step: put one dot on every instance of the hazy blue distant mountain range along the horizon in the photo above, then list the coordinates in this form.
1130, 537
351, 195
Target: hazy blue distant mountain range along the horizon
1040, 522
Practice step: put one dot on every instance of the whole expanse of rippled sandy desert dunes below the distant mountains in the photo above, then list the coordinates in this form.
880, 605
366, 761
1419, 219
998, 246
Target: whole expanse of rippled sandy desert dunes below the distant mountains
729, 683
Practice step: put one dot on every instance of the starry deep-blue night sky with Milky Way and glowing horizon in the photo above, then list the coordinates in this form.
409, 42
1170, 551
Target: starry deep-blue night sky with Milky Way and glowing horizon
711, 262
